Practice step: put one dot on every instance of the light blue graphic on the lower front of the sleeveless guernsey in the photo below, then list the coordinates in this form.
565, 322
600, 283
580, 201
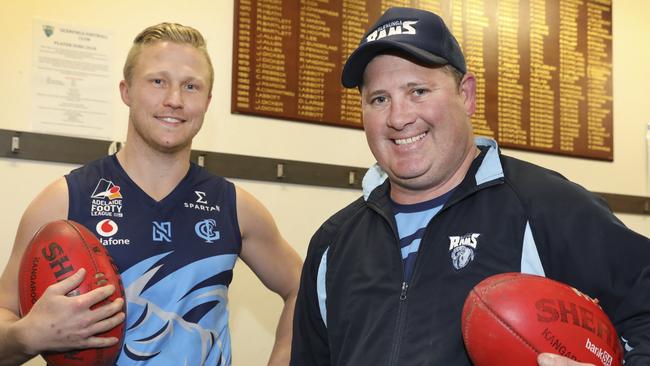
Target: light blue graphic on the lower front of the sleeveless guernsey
157, 329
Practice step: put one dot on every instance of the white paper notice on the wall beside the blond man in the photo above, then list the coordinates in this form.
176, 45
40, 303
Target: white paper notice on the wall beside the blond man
72, 93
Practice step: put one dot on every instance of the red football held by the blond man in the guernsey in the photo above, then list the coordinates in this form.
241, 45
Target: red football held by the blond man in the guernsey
57, 251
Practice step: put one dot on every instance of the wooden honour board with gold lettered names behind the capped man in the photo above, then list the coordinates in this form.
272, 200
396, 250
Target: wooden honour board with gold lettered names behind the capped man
543, 67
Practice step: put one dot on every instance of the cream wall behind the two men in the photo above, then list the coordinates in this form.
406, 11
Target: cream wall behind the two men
299, 210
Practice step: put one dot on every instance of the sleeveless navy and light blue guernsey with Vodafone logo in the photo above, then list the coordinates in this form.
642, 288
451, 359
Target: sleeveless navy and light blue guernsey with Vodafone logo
175, 257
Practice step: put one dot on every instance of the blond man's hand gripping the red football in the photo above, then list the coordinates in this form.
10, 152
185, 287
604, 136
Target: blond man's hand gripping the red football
58, 322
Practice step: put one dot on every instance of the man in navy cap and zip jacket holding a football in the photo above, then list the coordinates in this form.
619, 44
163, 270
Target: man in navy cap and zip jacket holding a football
385, 278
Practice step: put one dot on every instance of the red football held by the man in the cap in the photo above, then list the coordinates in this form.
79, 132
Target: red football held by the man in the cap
509, 318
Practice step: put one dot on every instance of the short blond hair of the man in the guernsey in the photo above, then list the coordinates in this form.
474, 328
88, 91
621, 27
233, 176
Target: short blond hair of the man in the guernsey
172, 32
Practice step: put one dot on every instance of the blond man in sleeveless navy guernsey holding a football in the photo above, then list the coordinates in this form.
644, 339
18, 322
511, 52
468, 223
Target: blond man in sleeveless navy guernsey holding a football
174, 230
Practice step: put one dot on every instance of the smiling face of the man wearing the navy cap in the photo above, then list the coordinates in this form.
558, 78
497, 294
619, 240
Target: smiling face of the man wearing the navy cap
417, 123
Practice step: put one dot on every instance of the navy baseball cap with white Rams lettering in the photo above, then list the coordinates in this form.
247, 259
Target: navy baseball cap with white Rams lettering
420, 34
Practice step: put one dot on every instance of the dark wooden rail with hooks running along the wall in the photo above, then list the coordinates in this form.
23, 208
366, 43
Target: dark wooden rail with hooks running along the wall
77, 150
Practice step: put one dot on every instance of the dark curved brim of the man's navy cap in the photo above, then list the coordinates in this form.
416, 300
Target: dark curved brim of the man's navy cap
352, 74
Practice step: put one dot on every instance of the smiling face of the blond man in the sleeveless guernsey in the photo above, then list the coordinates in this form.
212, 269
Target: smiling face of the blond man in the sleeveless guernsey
168, 95
